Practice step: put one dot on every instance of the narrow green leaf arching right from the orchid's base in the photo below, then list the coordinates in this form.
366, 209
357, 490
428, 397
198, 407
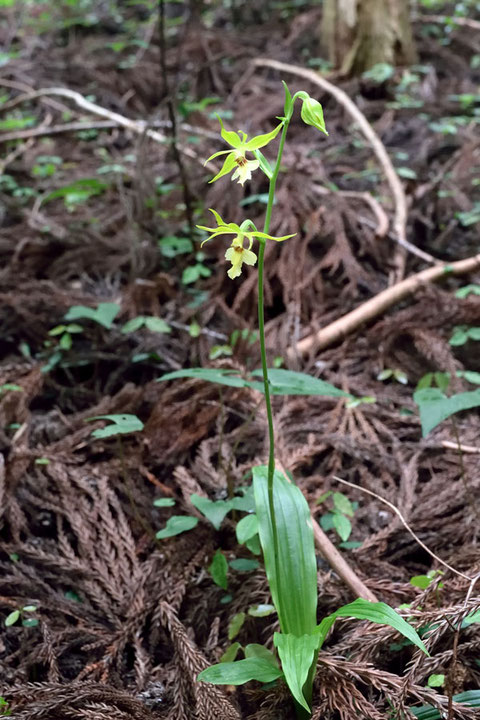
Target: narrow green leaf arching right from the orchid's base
375, 612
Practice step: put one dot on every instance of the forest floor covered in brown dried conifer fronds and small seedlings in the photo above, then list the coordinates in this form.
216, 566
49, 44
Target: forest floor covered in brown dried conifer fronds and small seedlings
124, 621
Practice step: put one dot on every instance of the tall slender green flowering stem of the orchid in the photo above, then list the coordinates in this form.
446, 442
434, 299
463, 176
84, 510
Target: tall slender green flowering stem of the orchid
263, 352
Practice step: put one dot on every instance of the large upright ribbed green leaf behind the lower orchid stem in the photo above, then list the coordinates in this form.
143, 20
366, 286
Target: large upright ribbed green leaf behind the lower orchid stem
294, 583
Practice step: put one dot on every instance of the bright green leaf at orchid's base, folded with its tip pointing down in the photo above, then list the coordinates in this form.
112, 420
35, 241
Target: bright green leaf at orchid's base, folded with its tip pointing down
296, 655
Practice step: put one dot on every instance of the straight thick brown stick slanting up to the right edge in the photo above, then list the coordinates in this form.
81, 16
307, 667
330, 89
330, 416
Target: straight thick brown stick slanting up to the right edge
342, 327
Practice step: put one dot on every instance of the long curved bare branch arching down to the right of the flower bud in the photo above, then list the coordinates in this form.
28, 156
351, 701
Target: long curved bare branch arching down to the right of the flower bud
396, 187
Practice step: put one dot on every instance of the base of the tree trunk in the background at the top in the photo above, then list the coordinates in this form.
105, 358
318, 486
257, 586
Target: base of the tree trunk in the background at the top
361, 33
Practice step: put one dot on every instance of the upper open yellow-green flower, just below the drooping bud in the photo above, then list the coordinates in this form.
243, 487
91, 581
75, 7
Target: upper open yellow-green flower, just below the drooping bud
236, 160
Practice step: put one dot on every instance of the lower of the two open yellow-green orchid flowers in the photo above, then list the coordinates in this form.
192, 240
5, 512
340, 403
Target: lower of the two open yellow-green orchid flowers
237, 254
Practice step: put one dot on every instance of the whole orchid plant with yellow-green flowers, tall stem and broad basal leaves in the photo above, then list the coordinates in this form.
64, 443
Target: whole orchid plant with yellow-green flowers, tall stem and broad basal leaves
282, 516
